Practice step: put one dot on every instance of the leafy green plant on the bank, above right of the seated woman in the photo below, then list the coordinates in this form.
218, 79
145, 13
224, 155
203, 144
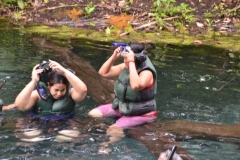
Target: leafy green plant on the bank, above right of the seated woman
166, 8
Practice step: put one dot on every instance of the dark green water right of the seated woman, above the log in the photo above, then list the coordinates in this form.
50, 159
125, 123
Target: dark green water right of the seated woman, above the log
196, 87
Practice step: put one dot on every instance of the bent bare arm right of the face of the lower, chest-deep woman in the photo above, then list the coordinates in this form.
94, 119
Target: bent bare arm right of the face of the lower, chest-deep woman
79, 90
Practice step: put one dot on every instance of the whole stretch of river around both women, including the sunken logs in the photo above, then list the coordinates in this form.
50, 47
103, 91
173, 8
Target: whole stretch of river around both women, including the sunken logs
197, 84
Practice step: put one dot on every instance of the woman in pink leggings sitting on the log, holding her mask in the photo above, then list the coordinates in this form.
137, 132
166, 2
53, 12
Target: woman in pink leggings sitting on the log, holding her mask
134, 89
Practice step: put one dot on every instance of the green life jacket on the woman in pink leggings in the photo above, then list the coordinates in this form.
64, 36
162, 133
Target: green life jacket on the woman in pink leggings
132, 102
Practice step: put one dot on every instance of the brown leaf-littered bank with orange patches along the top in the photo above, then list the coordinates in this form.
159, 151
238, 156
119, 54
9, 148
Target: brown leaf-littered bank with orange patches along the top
134, 13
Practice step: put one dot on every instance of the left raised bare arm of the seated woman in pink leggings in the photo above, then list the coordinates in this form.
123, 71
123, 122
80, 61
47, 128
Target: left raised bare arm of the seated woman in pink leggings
108, 70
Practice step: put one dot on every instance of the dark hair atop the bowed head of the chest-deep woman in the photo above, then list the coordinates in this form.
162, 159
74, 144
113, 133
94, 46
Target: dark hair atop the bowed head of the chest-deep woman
55, 77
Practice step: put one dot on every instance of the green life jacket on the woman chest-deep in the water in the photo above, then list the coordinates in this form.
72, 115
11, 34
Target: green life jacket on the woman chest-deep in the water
49, 105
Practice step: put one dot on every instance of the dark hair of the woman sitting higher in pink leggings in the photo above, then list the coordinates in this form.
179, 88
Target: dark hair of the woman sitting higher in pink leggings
137, 48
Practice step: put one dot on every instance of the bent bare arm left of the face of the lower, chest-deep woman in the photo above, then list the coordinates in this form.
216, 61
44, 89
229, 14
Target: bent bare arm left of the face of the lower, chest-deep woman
27, 98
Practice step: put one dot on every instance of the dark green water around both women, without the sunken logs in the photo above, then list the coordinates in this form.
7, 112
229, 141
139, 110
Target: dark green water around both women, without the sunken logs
197, 84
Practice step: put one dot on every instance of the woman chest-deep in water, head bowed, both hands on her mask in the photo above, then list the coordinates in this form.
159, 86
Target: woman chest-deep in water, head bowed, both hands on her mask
58, 90
